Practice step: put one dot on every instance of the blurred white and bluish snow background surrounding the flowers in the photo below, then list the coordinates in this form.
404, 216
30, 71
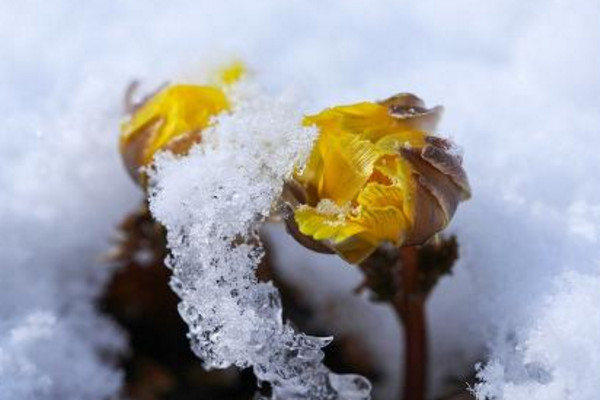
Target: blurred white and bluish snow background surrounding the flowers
521, 85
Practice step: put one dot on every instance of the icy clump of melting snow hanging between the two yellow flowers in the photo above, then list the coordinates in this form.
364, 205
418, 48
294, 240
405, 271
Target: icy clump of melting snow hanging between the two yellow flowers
212, 203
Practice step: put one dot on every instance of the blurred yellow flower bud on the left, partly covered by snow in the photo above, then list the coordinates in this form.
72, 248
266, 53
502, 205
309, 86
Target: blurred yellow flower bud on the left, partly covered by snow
173, 119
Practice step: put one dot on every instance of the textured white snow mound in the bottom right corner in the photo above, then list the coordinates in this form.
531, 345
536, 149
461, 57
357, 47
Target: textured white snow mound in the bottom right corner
557, 354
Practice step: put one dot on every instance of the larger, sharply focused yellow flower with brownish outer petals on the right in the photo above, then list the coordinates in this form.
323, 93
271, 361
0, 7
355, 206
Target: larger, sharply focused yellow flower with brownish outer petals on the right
376, 175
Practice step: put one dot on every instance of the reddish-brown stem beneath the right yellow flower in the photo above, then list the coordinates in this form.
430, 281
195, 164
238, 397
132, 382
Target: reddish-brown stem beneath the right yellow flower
410, 308
